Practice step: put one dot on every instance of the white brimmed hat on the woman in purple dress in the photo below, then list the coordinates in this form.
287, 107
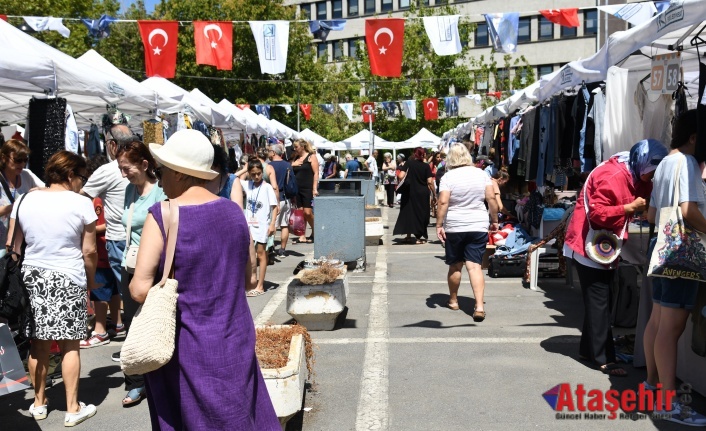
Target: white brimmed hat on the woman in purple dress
186, 151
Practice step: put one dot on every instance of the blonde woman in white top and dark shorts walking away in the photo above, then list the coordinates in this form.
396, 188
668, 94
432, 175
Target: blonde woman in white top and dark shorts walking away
462, 223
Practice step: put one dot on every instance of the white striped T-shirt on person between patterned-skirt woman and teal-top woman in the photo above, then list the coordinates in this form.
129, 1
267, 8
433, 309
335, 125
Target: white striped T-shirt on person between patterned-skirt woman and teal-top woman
107, 183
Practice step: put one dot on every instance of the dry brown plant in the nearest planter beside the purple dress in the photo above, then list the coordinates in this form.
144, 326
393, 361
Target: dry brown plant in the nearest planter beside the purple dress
272, 346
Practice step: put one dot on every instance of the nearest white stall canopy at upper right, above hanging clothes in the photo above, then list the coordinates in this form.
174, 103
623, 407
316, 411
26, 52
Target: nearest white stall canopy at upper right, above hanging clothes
620, 45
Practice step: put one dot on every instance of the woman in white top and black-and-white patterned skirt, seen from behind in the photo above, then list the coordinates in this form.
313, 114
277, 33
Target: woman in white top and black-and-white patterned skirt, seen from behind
60, 258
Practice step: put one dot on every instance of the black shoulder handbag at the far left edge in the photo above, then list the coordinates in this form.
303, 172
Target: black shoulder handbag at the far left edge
14, 299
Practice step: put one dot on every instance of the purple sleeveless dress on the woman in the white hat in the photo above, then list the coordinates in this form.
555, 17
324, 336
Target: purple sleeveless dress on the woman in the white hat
213, 381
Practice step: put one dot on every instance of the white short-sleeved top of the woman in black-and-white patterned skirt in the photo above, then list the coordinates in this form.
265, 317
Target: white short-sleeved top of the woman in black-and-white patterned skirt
53, 224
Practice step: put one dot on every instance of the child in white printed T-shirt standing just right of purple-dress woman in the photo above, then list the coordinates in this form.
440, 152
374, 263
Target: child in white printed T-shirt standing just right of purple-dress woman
260, 208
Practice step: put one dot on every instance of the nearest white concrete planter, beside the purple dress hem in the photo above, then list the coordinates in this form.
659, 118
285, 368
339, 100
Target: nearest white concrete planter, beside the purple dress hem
286, 385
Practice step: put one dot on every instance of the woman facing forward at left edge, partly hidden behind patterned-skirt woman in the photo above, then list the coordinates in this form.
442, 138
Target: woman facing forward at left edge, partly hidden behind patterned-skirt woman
15, 180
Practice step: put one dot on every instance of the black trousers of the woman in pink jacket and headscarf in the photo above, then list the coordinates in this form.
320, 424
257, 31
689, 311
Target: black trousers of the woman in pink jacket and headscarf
596, 334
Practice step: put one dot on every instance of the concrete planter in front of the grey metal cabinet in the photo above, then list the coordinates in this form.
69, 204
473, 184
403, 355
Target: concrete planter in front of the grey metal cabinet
317, 307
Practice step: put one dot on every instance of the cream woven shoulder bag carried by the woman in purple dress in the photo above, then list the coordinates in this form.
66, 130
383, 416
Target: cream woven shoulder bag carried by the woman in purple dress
150, 341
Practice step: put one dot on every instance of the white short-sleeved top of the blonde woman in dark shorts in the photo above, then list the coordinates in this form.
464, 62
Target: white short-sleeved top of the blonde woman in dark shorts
467, 211
